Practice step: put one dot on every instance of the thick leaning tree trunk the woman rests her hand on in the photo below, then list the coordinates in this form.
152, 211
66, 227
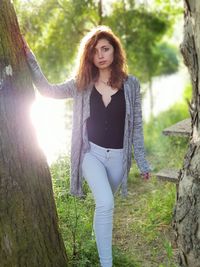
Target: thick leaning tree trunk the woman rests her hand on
29, 234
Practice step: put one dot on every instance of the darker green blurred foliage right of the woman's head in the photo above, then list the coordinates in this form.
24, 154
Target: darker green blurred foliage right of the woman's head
141, 32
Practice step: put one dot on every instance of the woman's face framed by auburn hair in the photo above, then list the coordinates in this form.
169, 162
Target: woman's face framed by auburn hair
104, 54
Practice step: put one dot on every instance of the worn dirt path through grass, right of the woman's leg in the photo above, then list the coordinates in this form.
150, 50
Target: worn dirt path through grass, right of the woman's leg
129, 239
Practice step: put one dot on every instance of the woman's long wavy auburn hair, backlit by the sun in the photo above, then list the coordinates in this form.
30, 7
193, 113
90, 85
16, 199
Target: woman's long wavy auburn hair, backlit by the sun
87, 72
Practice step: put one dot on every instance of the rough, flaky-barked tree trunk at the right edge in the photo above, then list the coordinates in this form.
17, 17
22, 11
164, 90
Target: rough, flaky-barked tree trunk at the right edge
187, 210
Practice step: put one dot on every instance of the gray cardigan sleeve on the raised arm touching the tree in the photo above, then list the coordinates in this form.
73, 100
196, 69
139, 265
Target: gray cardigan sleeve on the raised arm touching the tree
60, 91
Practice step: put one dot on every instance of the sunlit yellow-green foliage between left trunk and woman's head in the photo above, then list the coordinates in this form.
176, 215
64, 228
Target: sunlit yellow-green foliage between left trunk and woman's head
54, 28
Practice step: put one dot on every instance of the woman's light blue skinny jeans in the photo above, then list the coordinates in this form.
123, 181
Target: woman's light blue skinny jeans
102, 169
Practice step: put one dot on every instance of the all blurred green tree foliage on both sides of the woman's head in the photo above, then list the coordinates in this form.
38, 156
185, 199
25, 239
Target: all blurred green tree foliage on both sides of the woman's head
54, 29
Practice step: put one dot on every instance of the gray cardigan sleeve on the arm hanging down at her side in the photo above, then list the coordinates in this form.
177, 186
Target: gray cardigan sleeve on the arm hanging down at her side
138, 136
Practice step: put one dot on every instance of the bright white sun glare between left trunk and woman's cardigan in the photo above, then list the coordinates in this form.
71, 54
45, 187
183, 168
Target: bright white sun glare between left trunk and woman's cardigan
48, 119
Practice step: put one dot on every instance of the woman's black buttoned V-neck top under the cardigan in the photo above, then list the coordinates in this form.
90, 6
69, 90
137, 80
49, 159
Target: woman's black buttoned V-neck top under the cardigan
105, 125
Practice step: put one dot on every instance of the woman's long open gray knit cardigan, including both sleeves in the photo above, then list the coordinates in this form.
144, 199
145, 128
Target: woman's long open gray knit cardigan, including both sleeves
133, 131
